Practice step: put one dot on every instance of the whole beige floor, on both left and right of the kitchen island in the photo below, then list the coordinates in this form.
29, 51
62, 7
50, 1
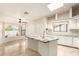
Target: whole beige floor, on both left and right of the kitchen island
13, 50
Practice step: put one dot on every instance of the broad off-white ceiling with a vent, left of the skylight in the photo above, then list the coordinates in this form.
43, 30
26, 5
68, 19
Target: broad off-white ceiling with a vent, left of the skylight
11, 12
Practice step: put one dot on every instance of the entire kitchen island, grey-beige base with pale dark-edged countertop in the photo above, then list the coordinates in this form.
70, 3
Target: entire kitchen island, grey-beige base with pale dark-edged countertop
45, 46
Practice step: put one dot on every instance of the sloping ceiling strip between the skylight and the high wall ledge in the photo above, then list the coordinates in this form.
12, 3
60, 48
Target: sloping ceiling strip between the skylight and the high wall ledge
62, 9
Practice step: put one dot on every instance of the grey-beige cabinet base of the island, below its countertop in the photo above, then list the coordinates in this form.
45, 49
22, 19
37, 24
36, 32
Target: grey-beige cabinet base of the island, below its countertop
44, 48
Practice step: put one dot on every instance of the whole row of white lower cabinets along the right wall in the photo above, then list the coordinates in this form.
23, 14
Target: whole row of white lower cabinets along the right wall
69, 41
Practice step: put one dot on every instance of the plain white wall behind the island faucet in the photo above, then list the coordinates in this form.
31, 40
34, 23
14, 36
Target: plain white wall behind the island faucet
36, 27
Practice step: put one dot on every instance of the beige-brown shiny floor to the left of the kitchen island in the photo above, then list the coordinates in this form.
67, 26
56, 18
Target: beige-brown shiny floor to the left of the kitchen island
14, 50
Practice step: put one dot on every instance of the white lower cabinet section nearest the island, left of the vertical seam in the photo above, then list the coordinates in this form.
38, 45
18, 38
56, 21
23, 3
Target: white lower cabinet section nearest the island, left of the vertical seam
65, 40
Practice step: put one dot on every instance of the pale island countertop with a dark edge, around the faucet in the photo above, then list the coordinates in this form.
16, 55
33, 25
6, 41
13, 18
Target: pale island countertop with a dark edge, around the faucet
45, 40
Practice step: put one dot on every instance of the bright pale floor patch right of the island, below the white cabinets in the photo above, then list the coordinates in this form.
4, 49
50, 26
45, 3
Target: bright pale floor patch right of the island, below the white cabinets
67, 51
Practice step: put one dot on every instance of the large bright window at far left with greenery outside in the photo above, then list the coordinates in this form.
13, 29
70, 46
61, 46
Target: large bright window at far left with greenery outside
11, 30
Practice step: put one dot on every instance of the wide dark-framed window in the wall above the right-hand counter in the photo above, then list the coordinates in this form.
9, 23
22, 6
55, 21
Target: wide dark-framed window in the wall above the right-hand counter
60, 27
